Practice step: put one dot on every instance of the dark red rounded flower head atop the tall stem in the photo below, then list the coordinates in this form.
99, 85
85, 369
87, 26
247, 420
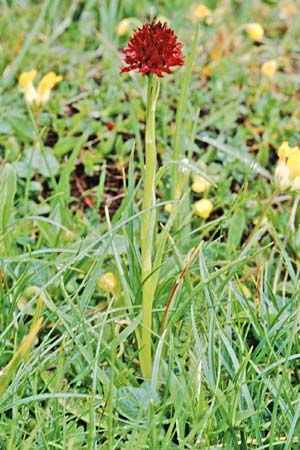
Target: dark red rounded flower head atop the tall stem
153, 48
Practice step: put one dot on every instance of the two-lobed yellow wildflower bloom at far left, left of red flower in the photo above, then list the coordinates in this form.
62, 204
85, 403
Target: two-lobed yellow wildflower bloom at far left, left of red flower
42, 93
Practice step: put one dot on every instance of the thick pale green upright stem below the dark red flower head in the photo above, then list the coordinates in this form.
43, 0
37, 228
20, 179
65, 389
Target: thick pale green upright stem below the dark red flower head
148, 228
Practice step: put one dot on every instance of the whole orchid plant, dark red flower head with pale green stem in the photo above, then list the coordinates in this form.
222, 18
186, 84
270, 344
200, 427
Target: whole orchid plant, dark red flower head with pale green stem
152, 50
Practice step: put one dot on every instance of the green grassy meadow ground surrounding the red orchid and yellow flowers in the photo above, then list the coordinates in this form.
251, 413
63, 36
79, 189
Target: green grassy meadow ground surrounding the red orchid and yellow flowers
226, 374
